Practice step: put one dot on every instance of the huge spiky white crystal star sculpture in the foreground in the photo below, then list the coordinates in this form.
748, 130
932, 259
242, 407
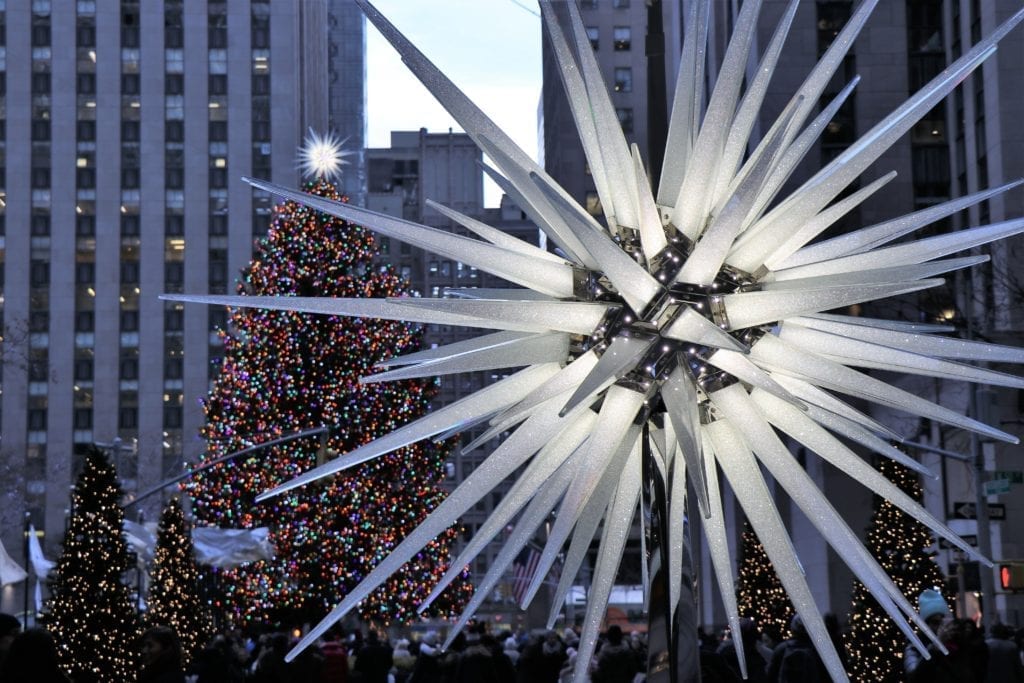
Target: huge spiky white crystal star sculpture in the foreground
693, 326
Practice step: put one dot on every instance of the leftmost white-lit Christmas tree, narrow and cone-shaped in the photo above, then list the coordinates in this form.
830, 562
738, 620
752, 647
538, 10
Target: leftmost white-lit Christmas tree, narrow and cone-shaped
91, 612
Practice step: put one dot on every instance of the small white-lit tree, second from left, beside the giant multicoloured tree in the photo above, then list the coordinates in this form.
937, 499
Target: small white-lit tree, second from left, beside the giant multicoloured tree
174, 597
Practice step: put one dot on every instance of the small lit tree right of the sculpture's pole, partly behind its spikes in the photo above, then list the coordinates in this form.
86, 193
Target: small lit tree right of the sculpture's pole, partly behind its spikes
759, 592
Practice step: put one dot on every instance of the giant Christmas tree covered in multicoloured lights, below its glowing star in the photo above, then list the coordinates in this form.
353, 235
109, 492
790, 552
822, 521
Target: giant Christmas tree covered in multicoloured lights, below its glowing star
286, 372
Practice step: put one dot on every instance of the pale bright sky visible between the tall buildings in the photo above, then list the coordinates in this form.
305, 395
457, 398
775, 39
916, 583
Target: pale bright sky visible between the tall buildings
490, 49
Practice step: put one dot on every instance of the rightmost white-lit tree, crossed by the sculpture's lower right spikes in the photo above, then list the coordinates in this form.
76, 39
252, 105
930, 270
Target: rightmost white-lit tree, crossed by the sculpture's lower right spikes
903, 547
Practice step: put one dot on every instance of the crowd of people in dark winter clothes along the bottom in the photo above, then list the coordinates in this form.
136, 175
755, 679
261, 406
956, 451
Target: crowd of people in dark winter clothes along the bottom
480, 655
